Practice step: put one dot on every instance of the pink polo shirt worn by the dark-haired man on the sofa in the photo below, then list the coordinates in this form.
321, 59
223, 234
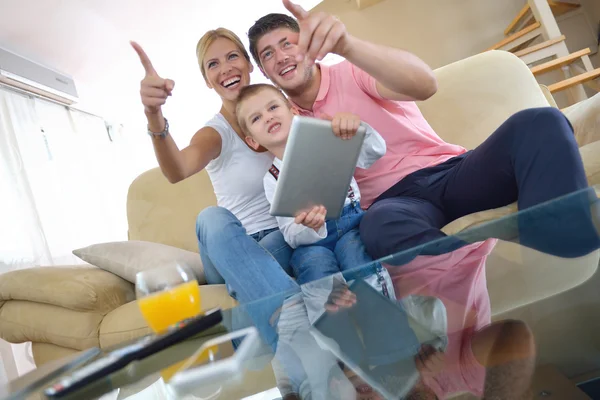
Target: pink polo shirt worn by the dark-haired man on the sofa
411, 142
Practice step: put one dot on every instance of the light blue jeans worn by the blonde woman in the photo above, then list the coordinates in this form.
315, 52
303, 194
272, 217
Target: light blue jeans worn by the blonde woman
252, 272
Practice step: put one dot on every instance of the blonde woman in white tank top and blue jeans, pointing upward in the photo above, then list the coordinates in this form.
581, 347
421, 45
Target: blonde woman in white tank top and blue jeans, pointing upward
239, 241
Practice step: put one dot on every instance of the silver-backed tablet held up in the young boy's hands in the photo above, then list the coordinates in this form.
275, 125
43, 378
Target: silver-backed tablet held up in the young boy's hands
317, 168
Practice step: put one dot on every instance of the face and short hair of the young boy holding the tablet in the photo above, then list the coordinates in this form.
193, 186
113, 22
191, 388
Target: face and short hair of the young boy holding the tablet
268, 119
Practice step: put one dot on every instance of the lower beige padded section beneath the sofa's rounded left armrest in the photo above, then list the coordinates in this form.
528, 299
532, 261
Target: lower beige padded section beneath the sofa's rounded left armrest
24, 321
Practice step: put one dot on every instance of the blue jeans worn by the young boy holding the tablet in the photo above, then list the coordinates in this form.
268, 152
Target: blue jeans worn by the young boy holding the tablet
341, 250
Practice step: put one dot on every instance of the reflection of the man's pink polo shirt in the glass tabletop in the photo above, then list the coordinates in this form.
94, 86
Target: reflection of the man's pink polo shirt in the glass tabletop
458, 280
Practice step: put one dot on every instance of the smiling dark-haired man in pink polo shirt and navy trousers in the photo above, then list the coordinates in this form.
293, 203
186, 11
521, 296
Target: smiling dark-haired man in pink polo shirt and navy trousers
422, 183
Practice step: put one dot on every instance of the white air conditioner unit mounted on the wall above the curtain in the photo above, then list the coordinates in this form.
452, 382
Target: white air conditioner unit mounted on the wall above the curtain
21, 73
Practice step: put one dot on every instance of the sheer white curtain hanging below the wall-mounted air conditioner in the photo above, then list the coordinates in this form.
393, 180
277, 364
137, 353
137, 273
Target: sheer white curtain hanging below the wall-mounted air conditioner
63, 182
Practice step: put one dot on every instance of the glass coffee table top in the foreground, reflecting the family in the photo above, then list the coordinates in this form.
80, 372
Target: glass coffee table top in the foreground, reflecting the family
501, 309
